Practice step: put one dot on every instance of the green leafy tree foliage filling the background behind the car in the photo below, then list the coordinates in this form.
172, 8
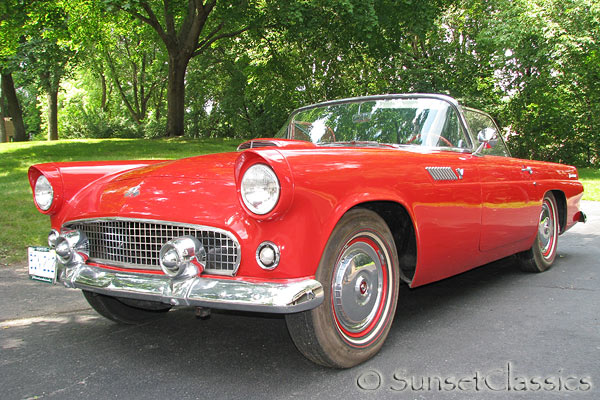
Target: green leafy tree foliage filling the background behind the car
533, 64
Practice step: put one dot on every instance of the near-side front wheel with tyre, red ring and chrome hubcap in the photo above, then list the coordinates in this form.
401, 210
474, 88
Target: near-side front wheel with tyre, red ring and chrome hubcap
359, 273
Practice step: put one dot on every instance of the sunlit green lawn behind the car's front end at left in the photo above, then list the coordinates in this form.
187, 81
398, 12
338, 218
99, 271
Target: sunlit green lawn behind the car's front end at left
22, 225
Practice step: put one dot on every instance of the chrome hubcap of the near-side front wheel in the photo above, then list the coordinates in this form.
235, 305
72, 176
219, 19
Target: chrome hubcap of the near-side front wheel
357, 287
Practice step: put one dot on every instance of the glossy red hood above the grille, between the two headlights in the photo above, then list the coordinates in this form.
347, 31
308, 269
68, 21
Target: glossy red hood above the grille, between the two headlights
192, 190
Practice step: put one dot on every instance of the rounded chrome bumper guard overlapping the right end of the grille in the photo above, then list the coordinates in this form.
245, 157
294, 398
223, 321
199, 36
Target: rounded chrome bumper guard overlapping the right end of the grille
184, 256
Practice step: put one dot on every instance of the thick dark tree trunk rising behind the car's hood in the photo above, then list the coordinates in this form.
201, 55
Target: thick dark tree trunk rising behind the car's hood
176, 95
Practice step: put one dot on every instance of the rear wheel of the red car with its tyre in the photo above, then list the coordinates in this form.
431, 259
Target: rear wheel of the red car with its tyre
543, 252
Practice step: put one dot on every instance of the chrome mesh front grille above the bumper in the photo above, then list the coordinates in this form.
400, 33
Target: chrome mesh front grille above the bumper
135, 244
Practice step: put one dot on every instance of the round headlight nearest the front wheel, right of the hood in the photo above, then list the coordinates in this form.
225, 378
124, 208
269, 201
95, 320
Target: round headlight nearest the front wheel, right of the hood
260, 189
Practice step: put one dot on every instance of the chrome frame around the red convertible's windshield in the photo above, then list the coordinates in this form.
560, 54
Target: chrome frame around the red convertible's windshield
451, 101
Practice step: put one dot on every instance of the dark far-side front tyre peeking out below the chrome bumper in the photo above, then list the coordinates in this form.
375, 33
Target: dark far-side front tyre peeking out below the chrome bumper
125, 311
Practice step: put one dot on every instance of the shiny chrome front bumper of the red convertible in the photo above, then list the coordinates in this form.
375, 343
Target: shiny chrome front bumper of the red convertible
271, 297
